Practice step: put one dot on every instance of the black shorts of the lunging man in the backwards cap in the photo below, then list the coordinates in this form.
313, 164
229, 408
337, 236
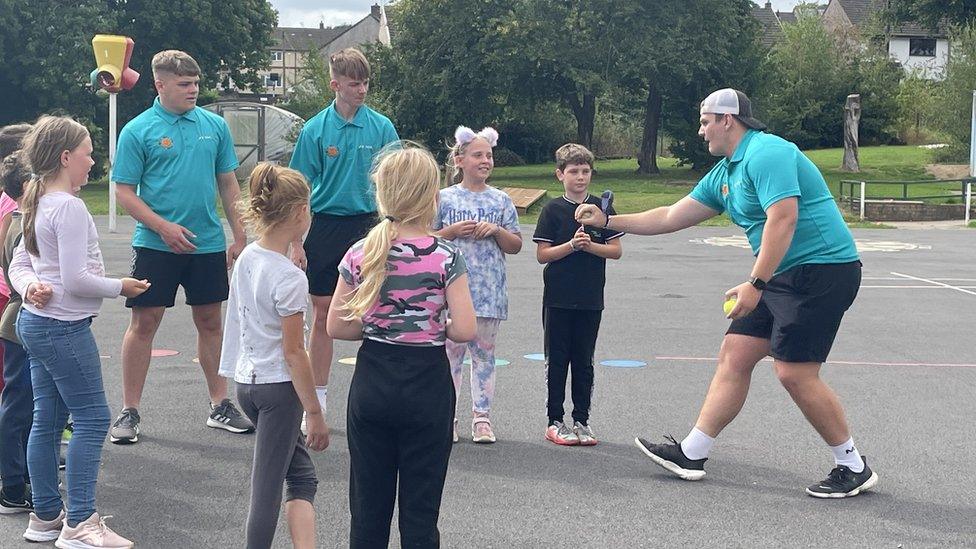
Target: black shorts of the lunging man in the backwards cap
801, 309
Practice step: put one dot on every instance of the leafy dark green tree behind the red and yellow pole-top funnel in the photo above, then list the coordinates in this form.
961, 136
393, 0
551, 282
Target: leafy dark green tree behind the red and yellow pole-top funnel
45, 52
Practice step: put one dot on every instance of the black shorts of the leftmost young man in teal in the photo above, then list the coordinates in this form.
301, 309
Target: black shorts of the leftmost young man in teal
203, 277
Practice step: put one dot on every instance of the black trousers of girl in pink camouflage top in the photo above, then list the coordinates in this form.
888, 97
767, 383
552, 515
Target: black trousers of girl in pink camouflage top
400, 421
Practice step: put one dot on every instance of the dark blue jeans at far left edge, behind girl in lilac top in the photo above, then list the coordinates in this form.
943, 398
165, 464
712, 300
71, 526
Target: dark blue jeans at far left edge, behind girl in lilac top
16, 409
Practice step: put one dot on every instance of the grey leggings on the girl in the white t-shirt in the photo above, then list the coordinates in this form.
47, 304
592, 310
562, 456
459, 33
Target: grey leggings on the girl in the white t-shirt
280, 456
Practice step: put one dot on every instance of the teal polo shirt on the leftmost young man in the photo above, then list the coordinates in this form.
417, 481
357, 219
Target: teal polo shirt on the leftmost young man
173, 161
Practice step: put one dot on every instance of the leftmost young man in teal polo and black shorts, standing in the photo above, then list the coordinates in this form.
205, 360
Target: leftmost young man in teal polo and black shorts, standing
172, 162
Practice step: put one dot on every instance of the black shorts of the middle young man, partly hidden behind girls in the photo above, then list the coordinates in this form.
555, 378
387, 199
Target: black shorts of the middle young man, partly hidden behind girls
329, 237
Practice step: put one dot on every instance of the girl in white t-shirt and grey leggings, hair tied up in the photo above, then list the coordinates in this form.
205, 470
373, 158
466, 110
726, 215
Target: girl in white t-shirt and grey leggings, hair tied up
264, 351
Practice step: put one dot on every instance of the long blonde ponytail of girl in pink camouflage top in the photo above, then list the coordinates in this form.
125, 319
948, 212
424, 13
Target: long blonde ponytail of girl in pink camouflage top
407, 180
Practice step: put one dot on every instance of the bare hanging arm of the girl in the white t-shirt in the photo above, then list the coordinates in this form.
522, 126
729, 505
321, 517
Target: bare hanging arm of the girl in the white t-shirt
300, 367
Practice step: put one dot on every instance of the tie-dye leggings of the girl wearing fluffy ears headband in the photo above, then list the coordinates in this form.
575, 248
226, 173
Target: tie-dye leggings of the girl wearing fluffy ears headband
482, 349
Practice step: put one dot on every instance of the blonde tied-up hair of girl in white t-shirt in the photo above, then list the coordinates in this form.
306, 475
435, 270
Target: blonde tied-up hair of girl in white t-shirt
275, 193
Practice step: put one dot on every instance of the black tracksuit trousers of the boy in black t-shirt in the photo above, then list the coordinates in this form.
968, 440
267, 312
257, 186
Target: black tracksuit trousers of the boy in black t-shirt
570, 340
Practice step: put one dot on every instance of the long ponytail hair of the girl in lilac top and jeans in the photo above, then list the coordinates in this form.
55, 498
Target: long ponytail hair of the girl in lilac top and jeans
43, 145
